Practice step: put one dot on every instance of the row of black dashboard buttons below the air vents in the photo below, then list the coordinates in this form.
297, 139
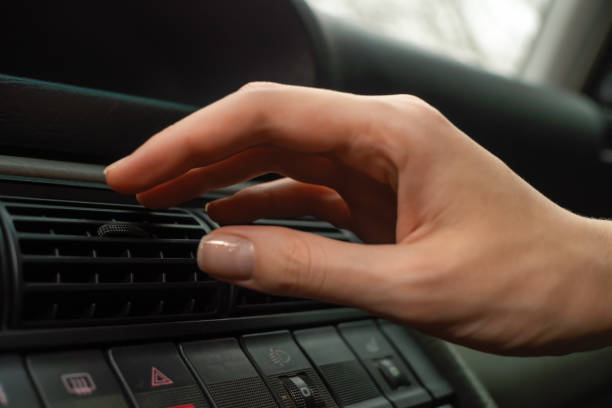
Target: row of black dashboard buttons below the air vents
354, 364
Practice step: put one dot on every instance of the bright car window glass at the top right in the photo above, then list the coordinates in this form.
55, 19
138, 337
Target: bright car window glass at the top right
493, 34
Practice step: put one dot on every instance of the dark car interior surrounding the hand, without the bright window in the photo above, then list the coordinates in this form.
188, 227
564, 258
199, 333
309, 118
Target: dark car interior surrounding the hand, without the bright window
101, 300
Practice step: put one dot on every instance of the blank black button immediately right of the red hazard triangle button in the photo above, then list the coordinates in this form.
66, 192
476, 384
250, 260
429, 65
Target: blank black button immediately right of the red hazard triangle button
227, 374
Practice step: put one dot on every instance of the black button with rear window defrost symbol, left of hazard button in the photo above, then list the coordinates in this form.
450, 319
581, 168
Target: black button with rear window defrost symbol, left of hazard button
75, 379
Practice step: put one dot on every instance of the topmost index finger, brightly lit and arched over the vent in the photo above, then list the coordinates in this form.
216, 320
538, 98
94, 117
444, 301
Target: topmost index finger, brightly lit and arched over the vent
296, 118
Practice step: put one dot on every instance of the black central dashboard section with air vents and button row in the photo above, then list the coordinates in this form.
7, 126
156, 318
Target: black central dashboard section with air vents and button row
103, 305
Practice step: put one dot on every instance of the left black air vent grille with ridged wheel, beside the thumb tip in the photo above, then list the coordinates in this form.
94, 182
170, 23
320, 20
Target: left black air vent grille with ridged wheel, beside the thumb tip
83, 263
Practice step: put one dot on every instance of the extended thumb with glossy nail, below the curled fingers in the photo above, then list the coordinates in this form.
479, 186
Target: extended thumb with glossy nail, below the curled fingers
285, 262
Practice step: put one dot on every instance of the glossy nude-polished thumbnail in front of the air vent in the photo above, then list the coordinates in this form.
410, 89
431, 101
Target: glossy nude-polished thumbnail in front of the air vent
226, 256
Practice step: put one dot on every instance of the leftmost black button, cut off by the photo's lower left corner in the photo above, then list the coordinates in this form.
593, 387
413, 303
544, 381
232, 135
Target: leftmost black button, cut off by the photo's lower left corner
15, 387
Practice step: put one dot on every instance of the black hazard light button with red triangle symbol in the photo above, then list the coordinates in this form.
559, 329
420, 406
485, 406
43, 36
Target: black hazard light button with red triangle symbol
157, 376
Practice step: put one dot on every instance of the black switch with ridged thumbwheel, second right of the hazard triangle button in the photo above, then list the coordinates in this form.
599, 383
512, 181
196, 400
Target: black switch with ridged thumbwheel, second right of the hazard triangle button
287, 370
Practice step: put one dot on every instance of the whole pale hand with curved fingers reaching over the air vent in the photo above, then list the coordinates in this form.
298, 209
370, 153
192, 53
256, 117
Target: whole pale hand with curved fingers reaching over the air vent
456, 244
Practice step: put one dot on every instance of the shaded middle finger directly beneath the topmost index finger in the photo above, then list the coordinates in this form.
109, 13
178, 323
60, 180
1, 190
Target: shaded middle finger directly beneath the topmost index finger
243, 166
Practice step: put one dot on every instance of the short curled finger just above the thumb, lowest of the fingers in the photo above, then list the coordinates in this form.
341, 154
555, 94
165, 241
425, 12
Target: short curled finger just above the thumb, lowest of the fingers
284, 198
